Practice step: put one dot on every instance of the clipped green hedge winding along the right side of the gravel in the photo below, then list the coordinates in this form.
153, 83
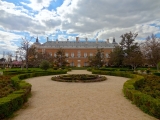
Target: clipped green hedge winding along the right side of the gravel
145, 102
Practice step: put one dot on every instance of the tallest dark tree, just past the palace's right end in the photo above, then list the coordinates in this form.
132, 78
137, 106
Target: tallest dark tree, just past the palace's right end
131, 50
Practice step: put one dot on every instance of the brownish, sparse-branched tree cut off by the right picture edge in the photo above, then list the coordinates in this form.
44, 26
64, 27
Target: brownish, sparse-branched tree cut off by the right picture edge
151, 50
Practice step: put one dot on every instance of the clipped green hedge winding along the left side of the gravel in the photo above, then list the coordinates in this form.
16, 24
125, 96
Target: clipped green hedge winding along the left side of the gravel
15, 100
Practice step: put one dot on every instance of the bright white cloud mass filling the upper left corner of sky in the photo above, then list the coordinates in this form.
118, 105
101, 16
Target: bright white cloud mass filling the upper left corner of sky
19, 19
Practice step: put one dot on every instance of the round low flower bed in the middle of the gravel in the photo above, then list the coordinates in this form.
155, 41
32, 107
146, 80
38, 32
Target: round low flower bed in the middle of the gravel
79, 78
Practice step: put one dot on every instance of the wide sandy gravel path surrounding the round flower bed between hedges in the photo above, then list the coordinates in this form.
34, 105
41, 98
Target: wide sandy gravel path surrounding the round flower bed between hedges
53, 100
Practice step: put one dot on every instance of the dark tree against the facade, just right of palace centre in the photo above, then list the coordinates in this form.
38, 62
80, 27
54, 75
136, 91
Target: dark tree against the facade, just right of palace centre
98, 60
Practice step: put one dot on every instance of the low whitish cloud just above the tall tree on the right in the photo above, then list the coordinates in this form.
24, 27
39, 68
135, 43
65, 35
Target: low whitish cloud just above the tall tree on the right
142, 30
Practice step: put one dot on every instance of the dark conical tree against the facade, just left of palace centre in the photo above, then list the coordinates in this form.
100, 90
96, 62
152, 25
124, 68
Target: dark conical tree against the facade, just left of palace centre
60, 58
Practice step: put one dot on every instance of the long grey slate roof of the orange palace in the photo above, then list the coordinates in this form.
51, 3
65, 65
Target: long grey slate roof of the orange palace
79, 44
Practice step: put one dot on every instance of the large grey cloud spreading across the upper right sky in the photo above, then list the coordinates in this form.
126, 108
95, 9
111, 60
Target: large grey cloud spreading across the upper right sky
105, 14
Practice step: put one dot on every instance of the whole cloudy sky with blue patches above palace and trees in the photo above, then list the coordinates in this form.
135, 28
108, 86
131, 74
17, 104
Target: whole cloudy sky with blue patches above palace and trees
67, 19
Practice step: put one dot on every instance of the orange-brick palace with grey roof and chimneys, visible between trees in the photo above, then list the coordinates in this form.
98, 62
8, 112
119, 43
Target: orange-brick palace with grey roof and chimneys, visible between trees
77, 52
